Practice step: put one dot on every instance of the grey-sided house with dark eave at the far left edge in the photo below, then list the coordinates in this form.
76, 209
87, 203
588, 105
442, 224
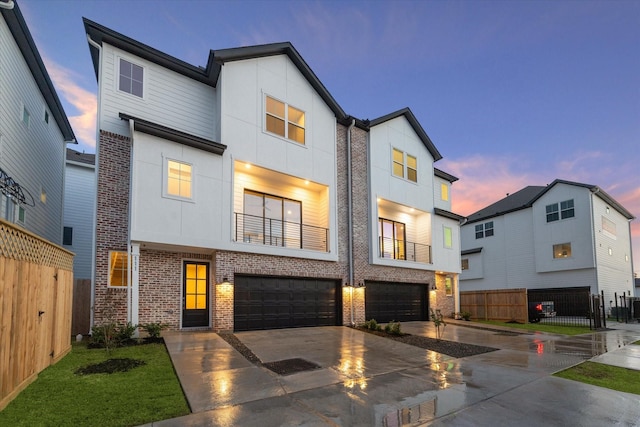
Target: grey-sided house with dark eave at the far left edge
34, 130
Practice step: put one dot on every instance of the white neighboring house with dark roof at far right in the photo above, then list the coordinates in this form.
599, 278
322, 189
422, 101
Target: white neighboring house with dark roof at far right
563, 235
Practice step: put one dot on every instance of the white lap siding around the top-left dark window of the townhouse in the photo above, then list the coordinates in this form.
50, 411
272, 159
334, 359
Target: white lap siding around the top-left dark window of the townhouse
169, 98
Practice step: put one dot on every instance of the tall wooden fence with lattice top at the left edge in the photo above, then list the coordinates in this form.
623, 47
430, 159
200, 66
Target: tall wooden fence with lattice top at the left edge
36, 283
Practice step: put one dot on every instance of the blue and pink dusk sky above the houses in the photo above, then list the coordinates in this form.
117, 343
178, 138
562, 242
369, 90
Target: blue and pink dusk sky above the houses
512, 93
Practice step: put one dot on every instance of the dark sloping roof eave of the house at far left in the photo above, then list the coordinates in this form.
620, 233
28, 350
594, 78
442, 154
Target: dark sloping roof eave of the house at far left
20, 32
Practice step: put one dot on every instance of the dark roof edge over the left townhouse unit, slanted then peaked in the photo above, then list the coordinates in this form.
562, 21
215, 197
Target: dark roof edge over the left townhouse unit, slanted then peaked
208, 75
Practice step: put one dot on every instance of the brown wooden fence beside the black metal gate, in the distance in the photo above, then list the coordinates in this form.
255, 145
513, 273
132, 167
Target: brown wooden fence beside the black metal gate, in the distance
496, 304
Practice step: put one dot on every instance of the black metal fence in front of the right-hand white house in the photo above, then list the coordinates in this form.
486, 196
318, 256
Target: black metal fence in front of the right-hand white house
569, 307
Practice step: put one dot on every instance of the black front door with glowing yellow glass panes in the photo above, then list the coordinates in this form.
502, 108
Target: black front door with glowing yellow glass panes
195, 294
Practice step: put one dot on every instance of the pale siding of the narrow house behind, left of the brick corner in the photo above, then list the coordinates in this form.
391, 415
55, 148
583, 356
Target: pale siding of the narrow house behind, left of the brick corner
79, 204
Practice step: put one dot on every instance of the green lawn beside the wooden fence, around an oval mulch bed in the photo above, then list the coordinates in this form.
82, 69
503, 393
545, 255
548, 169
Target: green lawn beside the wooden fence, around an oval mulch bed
59, 397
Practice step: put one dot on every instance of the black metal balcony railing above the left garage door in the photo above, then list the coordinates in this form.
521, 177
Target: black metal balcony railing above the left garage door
274, 232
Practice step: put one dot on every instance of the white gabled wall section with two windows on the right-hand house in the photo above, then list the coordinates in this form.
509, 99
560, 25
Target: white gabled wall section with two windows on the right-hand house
577, 230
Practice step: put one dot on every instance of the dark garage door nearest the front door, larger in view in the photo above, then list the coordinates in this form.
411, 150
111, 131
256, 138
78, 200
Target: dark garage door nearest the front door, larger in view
284, 302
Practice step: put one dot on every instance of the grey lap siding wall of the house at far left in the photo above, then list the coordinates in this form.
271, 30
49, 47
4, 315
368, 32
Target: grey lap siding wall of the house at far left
33, 154
